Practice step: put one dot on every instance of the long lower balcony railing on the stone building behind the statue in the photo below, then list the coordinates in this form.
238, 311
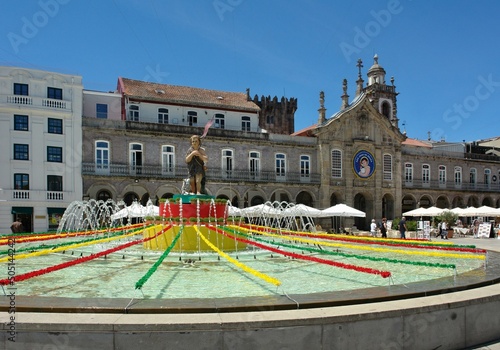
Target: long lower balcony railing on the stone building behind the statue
181, 172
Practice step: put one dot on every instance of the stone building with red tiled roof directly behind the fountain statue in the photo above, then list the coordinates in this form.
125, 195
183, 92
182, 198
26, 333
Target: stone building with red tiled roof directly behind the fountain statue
142, 155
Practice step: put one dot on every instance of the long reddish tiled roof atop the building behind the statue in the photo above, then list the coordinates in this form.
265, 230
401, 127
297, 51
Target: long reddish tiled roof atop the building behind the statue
183, 95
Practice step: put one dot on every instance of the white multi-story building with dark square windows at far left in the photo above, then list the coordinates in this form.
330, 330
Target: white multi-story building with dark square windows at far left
41, 138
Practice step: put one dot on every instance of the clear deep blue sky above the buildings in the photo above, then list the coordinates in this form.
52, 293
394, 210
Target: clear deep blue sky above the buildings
443, 55
